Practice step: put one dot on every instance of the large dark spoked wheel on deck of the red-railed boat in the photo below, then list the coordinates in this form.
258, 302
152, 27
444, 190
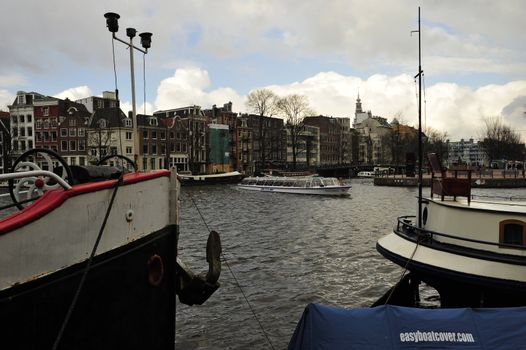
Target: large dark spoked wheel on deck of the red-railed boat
29, 188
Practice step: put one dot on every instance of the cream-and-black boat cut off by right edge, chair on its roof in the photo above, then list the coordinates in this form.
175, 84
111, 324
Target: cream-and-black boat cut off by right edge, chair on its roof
472, 251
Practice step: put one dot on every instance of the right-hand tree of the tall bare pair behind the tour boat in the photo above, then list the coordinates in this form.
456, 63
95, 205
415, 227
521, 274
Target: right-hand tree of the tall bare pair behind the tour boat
294, 108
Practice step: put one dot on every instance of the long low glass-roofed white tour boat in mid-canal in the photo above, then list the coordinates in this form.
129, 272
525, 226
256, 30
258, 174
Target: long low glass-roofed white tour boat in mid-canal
300, 185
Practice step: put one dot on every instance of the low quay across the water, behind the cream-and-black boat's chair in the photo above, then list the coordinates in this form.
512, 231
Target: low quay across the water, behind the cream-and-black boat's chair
480, 179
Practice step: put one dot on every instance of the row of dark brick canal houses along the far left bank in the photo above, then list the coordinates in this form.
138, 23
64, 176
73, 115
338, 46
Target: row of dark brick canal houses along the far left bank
190, 138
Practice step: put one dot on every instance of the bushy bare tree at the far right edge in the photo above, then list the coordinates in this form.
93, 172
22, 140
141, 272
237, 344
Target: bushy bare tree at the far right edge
500, 141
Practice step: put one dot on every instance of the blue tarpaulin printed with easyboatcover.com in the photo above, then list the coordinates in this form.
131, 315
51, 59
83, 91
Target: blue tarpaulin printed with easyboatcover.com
396, 327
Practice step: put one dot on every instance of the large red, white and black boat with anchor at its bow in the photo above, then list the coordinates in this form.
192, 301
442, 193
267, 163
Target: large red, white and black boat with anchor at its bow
90, 259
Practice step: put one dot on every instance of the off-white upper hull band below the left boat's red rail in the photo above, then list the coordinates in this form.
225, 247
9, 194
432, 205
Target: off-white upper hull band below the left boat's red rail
66, 235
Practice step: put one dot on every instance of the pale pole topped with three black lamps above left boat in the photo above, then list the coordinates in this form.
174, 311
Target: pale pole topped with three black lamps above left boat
112, 22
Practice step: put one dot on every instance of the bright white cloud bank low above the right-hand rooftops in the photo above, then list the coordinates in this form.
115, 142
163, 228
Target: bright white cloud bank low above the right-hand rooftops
460, 111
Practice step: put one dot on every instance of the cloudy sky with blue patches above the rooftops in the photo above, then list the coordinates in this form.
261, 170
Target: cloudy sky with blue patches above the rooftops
212, 52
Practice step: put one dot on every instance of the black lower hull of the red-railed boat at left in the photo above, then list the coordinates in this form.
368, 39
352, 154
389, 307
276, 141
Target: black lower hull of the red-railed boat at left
127, 301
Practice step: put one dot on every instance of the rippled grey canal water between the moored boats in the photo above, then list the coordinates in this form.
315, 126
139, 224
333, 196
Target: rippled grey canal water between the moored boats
283, 251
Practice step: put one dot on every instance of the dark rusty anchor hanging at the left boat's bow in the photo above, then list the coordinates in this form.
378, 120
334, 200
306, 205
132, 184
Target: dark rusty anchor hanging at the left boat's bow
196, 289
